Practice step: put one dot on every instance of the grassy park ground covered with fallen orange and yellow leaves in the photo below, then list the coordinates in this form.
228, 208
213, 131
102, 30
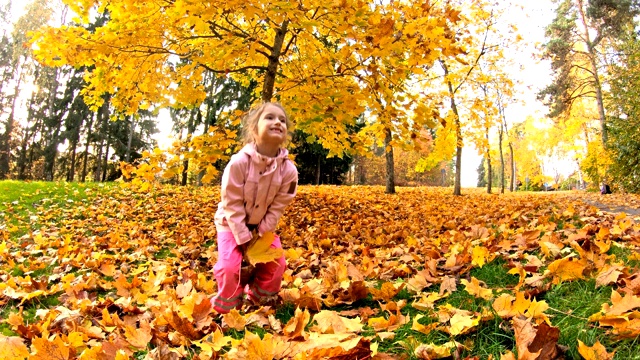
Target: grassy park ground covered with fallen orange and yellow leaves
421, 274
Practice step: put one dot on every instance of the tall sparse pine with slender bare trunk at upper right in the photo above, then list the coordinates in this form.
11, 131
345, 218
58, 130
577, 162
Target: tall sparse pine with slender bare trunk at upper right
579, 38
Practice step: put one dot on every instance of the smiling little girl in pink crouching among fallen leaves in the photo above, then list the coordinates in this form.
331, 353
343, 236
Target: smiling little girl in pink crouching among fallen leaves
257, 185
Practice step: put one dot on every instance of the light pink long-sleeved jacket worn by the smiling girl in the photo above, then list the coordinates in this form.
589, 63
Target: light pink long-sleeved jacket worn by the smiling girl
255, 190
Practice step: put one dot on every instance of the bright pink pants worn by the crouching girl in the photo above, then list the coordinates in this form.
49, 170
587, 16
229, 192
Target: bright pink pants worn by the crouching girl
266, 281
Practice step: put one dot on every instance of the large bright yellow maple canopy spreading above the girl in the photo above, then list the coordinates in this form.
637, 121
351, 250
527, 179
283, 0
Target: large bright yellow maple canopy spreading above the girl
328, 62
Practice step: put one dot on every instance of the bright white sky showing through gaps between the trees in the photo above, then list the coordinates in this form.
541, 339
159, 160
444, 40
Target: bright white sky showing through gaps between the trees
531, 18
